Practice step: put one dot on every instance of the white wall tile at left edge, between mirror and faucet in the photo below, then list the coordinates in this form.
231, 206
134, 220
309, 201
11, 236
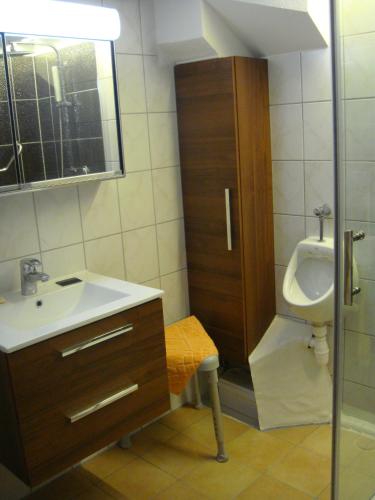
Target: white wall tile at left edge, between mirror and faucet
18, 230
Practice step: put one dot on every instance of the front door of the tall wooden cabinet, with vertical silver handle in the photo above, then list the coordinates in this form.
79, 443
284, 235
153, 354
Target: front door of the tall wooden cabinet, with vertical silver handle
208, 149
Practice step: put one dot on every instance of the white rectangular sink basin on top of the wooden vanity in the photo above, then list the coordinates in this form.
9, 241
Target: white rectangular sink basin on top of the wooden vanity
56, 309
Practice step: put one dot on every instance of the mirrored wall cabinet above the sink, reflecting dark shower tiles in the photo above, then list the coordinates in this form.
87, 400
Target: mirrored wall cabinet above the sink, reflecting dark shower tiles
59, 113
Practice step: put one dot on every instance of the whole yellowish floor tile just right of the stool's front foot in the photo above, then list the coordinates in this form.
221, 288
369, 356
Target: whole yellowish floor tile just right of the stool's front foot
258, 449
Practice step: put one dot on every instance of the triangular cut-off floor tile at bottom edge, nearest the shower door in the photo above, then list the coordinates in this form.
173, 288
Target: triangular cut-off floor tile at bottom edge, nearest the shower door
269, 488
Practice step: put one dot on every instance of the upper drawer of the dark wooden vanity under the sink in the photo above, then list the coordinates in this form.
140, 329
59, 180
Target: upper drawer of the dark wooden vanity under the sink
43, 376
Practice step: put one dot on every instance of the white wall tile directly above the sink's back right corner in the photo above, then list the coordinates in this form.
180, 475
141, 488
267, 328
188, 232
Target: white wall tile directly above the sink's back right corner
105, 256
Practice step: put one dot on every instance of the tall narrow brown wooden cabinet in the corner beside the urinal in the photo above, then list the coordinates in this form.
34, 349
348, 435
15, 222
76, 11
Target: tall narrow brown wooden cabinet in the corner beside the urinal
224, 134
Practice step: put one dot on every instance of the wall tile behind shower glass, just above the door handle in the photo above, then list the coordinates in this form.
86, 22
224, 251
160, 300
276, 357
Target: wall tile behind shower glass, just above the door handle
360, 186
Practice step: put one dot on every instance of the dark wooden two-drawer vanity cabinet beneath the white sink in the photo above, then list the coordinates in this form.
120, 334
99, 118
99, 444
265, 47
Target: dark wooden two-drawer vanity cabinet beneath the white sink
49, 420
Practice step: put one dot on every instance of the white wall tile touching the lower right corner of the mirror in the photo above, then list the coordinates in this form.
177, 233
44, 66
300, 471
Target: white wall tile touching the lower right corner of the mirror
136, 201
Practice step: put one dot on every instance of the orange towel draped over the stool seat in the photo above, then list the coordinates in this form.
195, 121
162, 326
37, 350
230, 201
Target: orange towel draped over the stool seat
188, 344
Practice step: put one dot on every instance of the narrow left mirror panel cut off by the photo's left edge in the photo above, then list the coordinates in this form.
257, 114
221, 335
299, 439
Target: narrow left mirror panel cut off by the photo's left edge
8, 170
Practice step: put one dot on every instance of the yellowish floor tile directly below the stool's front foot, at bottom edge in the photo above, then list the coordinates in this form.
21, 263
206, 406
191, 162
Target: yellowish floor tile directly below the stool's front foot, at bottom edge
220, 481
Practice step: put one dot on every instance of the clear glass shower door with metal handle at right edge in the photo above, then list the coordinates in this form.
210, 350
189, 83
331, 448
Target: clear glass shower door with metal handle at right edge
354, 447
